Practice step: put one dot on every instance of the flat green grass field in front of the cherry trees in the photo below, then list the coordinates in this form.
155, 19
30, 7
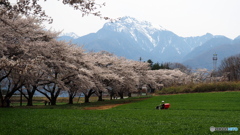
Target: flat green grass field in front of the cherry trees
189, 114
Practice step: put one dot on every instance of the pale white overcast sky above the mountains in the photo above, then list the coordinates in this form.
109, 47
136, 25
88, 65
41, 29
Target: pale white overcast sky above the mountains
183, 17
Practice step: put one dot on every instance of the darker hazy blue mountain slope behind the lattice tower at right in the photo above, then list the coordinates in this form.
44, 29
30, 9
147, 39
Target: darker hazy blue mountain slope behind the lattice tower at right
201, 57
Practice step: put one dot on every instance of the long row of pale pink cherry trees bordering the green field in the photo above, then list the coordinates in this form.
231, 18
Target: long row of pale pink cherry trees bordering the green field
32, 59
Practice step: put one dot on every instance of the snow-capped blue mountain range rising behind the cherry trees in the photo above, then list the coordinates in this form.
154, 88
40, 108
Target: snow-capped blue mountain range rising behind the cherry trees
133, 39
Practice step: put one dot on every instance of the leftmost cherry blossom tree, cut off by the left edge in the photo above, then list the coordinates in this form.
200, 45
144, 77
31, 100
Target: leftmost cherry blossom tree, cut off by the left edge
18, 35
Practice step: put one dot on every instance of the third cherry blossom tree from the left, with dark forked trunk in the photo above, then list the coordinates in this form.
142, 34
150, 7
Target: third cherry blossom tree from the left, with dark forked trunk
63, 67
